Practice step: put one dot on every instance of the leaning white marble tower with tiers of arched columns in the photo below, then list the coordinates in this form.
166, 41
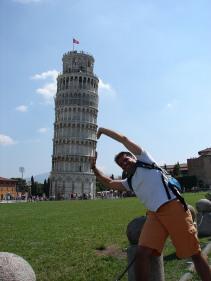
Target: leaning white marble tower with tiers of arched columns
76, 108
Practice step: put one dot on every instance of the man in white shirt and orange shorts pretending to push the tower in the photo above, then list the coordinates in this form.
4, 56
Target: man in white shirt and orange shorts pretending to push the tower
166, 216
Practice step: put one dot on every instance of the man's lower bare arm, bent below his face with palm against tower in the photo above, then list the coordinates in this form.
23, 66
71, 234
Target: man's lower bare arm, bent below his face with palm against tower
108, 182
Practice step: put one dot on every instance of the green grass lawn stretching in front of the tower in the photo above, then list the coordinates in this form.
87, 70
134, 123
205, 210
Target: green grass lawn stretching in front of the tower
59, 239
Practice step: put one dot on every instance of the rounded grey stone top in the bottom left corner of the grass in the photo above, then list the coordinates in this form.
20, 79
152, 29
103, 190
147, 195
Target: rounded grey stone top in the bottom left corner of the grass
15, 268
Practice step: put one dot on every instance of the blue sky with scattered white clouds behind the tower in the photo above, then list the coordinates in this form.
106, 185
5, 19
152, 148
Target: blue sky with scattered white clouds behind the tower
153, 58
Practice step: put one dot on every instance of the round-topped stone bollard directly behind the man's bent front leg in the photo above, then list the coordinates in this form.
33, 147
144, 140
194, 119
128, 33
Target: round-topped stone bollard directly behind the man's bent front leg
156, 263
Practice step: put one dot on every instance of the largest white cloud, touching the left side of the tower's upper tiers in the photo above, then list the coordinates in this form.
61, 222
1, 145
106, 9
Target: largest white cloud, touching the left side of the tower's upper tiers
47, 91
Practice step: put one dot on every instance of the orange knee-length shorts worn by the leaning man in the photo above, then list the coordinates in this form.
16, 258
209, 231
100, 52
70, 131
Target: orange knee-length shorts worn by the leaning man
170, 220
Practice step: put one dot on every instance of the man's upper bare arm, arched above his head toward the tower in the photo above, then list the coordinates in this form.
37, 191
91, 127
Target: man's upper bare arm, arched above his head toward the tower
129, 144
